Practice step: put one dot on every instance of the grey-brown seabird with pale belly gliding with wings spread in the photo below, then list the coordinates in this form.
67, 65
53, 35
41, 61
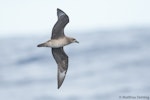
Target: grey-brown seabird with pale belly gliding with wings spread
57, 42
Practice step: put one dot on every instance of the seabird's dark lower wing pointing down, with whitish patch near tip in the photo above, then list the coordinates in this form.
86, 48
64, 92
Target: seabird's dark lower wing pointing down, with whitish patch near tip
62, 61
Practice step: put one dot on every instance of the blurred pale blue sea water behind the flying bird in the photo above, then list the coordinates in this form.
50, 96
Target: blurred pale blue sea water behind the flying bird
105, 65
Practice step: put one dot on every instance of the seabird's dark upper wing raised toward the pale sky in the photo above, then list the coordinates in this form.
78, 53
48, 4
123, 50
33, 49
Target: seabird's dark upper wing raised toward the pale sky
58, 29
